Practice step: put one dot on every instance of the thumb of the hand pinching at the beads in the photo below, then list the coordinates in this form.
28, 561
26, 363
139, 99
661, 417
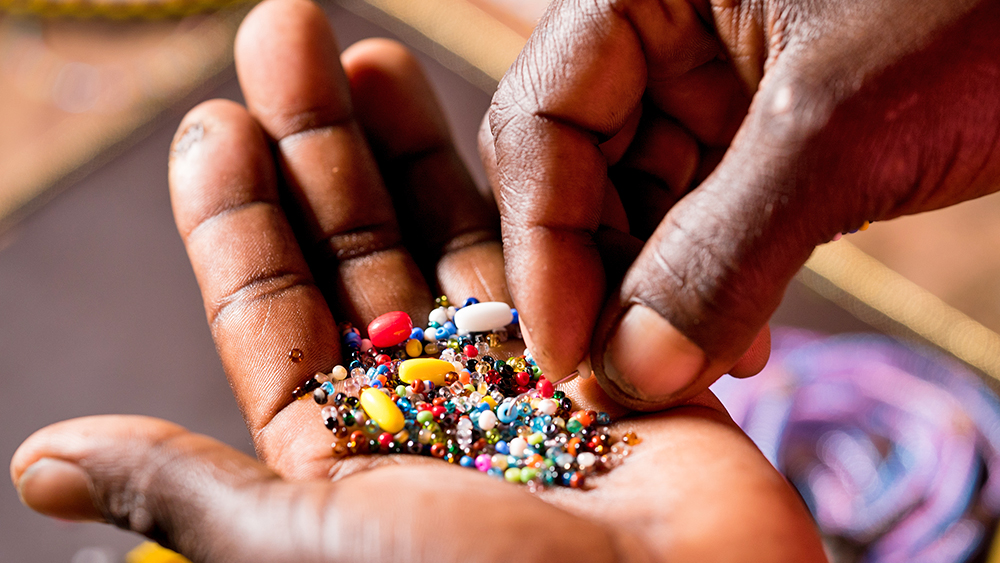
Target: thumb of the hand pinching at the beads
700, 293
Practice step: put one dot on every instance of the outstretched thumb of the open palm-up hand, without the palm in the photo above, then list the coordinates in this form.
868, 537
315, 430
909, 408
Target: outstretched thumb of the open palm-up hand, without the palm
144, 475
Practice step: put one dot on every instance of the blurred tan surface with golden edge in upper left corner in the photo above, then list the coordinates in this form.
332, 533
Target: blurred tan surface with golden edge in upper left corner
71, 89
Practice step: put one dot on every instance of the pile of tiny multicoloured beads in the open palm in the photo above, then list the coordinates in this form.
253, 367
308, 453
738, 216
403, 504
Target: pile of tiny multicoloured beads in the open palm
467, 406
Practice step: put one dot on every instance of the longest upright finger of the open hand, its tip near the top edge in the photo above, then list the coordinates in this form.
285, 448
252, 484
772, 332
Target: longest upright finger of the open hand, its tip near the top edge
288, 65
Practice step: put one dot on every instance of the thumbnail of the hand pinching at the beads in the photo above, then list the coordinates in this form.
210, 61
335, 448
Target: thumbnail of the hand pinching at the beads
648, 358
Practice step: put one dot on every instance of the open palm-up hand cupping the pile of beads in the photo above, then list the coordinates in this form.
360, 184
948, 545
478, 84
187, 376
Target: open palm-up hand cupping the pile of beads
293, 211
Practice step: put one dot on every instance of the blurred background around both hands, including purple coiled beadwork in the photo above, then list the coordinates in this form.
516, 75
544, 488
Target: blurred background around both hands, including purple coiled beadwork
878, 403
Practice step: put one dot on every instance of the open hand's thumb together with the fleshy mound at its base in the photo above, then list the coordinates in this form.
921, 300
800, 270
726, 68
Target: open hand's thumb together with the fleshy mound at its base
211, 503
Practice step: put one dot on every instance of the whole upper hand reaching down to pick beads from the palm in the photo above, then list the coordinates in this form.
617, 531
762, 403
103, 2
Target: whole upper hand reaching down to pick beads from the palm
721, 141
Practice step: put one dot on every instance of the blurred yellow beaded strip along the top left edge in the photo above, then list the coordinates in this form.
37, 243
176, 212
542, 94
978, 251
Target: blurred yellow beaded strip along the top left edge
115, 9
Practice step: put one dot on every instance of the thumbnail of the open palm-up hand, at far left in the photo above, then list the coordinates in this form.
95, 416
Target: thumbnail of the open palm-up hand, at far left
58, 489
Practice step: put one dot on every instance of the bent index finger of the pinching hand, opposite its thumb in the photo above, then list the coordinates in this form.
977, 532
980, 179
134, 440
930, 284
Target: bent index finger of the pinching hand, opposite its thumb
549, 117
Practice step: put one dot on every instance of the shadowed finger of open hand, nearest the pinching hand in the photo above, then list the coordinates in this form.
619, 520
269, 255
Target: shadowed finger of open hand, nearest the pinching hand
452, 230
